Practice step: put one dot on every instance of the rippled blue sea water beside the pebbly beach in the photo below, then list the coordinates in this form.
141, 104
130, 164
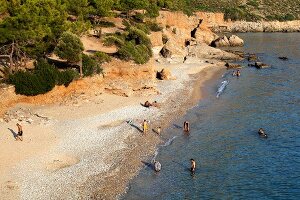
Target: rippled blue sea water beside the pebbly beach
233, 162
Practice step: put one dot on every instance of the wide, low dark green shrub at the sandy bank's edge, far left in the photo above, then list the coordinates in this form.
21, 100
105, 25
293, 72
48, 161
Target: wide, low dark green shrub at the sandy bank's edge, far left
41, 80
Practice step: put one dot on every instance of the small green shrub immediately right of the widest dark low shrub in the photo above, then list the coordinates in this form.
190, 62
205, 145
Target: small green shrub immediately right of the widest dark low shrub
90, 66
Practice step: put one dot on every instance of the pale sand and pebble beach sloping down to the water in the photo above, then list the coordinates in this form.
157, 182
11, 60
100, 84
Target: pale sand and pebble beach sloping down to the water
90, 151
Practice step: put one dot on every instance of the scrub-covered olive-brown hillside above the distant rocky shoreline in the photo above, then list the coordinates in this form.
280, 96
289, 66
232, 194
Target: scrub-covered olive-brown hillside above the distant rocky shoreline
252, 9
